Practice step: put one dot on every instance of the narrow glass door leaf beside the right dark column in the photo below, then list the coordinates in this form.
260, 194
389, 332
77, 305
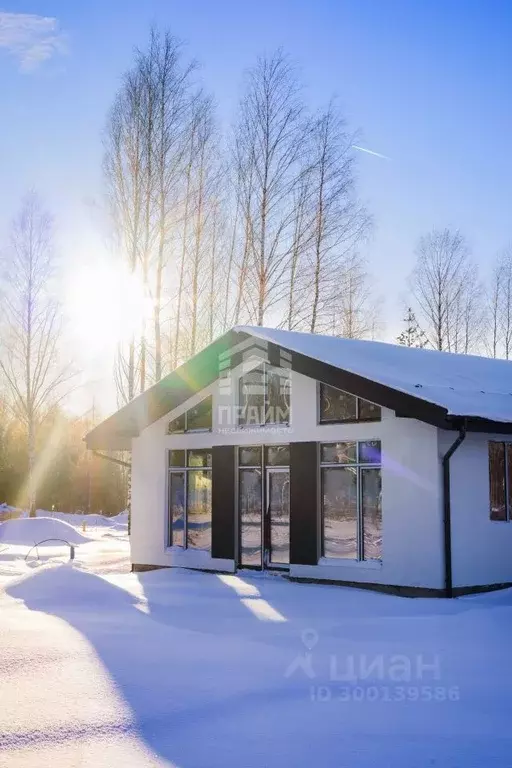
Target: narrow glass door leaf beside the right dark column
277, 519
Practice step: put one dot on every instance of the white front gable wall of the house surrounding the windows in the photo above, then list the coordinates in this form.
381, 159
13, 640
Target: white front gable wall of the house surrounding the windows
411, 487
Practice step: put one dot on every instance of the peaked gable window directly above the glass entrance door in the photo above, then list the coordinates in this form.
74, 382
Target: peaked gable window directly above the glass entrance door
264, 396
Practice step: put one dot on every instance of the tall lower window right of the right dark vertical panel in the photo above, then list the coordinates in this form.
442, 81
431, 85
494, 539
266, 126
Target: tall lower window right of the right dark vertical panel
351, 500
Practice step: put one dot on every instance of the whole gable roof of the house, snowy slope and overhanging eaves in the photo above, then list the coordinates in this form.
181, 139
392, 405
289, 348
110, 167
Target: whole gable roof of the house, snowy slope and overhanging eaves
436, 387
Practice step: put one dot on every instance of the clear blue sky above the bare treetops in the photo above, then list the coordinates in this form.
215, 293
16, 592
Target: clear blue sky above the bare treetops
428, 82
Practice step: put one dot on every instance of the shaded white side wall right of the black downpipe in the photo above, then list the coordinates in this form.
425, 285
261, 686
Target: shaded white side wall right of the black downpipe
481, 547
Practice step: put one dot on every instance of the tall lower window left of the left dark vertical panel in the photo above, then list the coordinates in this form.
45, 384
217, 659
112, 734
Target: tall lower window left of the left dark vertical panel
190, 498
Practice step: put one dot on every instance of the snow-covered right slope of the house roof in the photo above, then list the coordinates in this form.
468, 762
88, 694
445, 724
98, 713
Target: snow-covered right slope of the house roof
465, 385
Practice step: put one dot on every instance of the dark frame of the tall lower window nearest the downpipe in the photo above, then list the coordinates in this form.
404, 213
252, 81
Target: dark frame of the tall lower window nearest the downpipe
358, 466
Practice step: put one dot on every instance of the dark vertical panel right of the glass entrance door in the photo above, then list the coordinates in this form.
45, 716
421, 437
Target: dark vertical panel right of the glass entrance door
303, 504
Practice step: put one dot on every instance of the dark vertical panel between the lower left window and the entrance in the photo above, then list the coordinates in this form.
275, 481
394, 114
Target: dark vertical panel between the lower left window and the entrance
223, 501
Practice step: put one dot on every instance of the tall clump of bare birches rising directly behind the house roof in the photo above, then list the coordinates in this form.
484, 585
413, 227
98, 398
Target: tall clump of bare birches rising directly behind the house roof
276, 240
